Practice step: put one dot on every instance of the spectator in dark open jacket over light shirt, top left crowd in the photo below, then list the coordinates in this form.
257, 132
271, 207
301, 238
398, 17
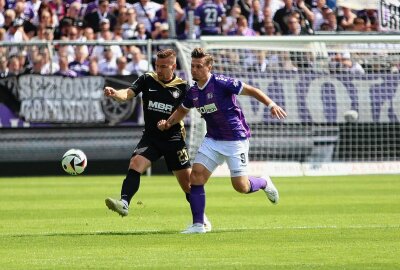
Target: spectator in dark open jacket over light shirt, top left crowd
96, 17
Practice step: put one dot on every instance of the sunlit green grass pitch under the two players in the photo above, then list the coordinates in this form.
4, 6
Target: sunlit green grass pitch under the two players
350, 222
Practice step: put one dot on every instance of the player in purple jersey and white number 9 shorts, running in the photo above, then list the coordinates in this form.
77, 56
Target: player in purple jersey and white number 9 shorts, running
227, 138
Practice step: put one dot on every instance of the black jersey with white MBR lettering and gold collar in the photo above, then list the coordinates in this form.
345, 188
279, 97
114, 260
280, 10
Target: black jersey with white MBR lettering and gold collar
160, 100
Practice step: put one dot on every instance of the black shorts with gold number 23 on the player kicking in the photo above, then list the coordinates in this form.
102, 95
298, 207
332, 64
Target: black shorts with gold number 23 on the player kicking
175, 153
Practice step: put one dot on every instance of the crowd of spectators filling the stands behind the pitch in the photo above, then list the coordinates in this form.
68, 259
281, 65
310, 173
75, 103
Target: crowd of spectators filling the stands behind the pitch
105, 20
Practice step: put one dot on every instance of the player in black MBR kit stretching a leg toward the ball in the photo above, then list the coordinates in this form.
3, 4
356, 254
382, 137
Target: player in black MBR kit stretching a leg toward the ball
162, 92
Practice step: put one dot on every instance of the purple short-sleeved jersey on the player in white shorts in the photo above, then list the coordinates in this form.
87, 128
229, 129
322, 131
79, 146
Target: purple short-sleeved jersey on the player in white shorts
216, 103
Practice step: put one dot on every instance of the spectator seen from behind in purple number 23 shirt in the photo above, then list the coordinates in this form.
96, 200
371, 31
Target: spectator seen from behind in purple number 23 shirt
209, 25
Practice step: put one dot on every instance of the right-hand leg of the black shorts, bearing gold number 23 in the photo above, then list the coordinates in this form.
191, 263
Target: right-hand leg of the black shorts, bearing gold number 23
176, 155
